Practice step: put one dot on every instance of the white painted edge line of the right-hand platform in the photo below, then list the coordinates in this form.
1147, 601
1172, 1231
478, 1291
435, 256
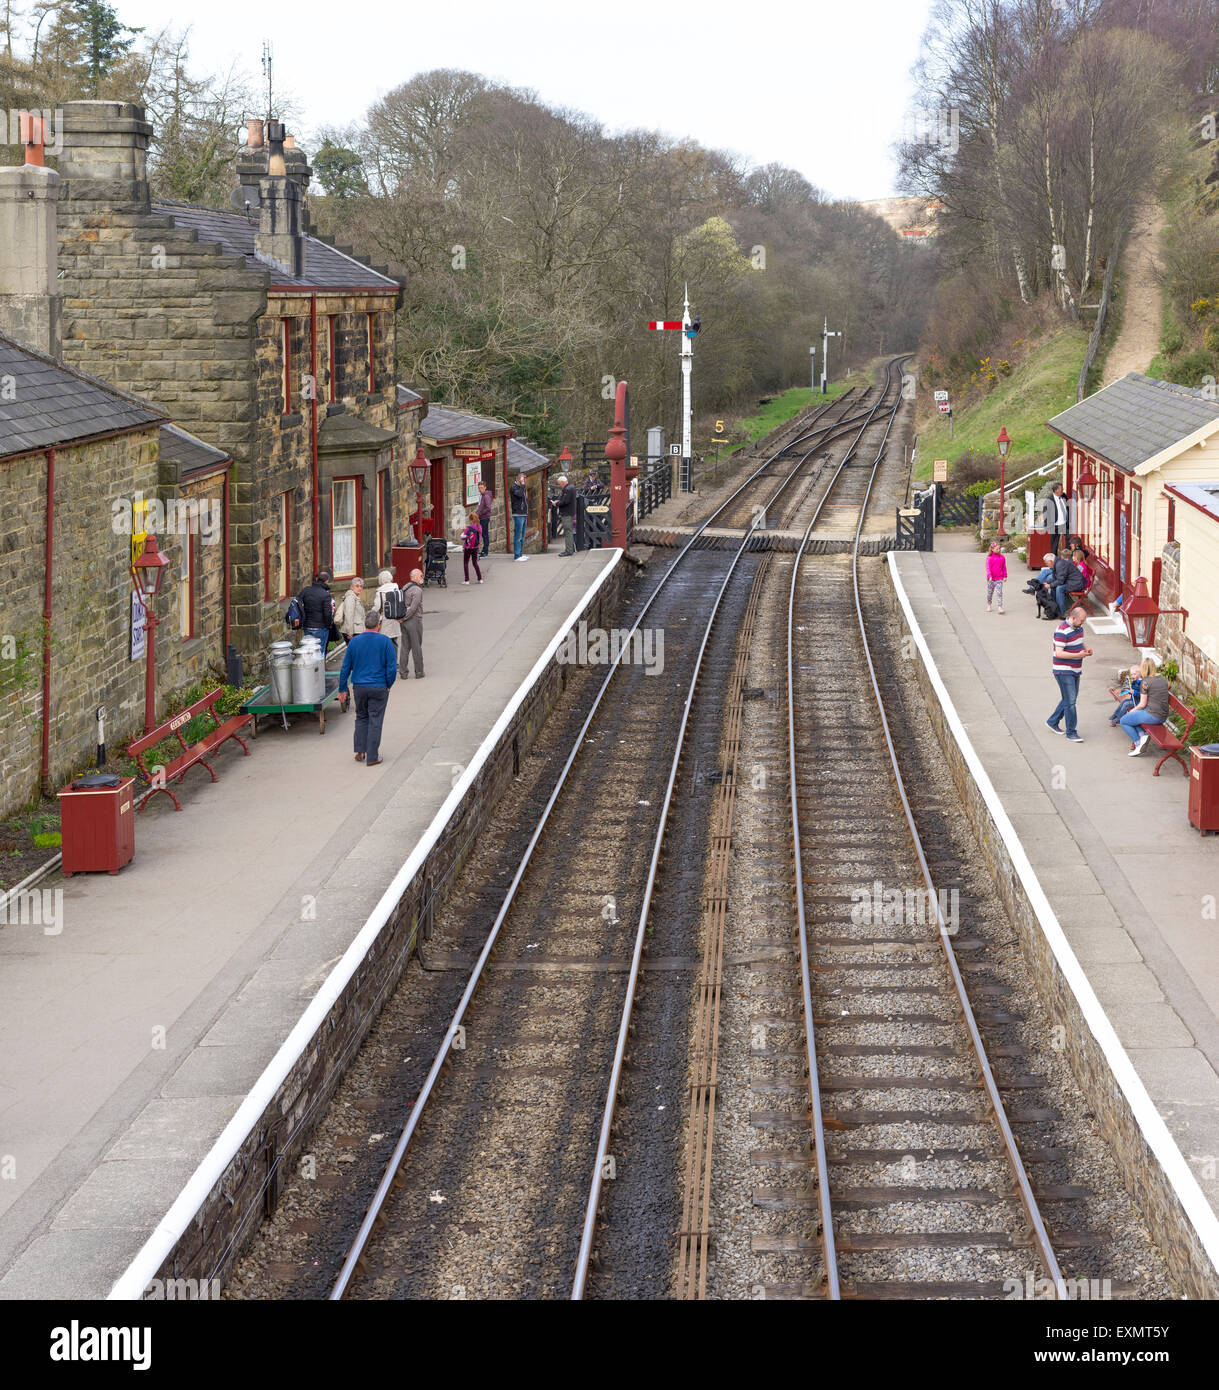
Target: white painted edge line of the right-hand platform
1146, 1115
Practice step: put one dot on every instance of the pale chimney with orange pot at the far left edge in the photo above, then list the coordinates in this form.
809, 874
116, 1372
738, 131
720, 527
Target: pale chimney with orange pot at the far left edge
30, 294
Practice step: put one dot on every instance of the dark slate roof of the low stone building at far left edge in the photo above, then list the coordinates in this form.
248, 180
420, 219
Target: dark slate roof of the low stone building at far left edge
55, 405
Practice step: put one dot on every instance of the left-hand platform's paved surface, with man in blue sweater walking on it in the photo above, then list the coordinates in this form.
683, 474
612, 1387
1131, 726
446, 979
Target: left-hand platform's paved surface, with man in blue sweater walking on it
131, 1036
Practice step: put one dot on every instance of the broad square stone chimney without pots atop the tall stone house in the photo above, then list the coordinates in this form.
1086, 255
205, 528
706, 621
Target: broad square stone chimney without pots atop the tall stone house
105, 155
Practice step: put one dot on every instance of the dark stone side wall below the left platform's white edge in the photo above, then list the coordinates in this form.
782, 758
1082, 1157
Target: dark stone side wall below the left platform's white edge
249, 1186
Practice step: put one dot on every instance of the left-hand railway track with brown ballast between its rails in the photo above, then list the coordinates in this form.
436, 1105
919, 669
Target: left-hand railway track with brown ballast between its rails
562, 967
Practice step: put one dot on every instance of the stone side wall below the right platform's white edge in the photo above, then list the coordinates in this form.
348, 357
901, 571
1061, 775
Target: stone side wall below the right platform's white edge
1145, 1178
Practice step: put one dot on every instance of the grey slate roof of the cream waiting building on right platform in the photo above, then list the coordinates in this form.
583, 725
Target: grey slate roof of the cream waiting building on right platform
1135, 419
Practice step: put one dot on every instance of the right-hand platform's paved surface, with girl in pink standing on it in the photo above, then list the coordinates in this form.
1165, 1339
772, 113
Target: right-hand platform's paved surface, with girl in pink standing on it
1129, 879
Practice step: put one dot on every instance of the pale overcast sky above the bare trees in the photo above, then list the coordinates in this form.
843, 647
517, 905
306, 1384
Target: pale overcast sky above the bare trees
822, 88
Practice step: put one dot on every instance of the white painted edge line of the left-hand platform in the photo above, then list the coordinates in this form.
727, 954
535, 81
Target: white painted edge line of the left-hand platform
144, 1268
